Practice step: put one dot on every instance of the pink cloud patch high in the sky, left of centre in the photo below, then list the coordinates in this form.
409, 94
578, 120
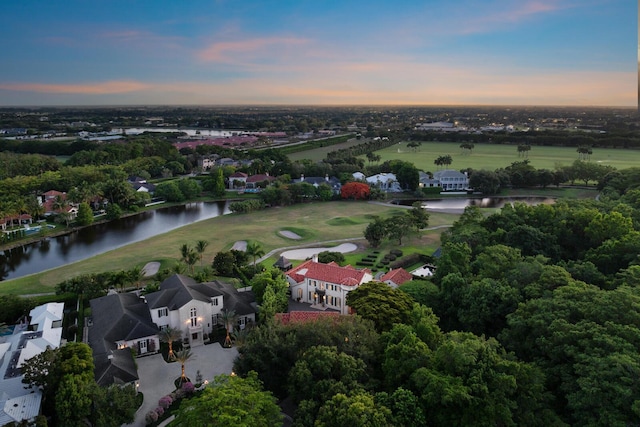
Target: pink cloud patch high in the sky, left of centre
225, 51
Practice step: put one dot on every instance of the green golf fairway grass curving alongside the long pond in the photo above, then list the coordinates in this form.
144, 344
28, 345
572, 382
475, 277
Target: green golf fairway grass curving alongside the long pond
315, 222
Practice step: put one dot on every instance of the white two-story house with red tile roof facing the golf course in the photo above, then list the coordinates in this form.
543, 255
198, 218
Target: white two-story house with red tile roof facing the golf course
325, 285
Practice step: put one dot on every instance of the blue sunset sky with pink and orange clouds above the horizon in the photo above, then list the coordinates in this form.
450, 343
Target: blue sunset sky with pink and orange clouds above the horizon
319, 52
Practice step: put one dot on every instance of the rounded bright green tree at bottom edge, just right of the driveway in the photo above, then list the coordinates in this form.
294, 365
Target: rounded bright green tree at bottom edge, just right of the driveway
231, 400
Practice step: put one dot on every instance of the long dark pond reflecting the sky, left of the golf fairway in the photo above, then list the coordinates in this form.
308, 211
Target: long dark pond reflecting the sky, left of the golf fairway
94, 240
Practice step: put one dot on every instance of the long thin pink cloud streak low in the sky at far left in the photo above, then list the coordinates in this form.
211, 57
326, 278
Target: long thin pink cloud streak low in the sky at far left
90, 88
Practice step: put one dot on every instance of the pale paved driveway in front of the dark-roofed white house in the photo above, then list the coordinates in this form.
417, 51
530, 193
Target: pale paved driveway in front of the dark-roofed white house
157, 376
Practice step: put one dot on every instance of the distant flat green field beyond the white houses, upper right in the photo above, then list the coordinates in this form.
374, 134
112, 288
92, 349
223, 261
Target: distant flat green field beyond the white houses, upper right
494, 156
